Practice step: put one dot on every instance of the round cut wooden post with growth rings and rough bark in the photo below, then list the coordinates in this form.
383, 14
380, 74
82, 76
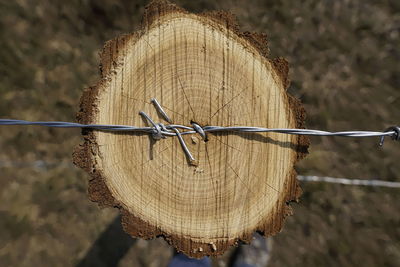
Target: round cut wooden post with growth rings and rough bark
201, 68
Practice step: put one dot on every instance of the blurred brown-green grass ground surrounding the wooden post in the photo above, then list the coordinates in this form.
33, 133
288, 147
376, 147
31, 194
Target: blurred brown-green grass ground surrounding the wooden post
345, 62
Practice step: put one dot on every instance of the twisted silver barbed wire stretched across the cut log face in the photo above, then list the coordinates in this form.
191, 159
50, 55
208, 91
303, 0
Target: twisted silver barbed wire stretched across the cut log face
160, 130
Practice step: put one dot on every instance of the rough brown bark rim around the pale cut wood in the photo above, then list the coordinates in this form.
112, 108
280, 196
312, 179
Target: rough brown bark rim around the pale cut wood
84, 155
